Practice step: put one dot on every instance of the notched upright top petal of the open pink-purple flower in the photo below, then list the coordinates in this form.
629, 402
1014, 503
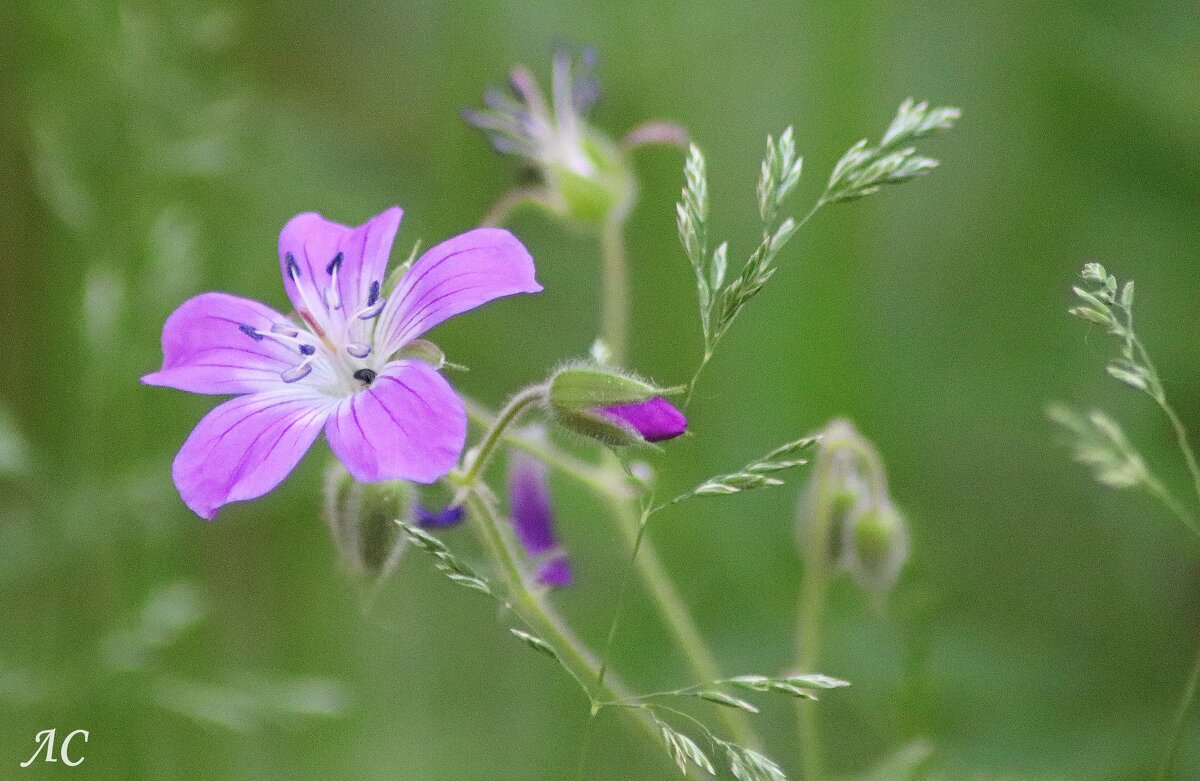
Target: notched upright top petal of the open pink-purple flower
314, 243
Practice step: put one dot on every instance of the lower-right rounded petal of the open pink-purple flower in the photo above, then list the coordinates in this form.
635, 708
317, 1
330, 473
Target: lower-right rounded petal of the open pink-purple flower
409, 425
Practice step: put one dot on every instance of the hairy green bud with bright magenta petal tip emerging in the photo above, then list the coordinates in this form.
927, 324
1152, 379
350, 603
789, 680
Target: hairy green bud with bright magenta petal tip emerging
611, 406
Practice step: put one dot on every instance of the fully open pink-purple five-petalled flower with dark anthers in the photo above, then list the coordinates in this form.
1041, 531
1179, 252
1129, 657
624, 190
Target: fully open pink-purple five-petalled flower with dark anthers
339, 365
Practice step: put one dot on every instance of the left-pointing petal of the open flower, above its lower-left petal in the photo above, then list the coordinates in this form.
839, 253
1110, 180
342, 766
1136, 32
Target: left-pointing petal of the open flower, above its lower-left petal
205, 350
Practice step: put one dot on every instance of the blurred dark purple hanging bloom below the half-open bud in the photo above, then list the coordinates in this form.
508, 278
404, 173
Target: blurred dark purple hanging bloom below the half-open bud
533, 519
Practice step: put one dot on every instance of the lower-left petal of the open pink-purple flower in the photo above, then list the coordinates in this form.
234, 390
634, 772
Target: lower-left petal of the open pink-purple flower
247, 447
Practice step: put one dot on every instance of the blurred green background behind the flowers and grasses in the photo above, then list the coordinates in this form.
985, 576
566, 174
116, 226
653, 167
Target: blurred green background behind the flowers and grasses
153, 151
